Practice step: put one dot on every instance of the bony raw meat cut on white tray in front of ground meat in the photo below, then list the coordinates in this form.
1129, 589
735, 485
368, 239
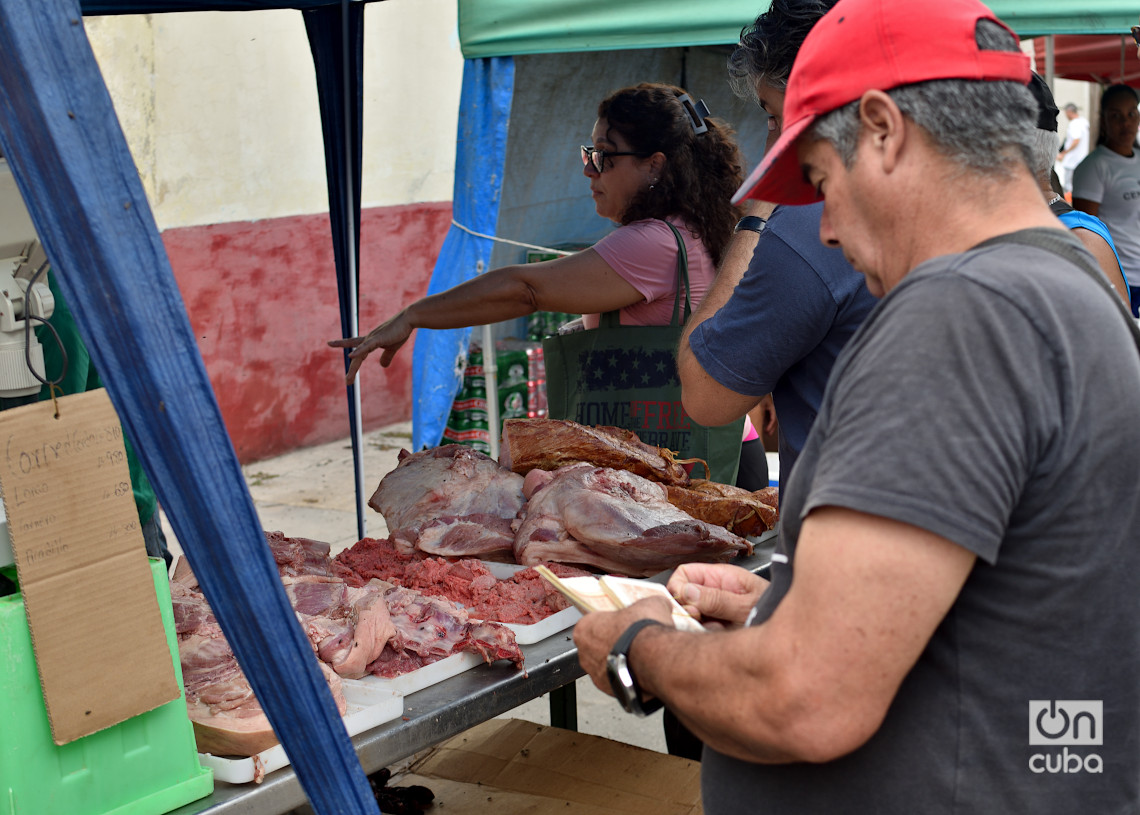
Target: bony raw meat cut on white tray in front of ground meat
430, 629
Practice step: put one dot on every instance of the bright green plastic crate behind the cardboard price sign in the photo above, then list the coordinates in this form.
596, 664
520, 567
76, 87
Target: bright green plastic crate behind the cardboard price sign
148, 765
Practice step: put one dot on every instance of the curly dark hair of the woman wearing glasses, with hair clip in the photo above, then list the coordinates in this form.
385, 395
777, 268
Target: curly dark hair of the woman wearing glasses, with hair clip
702, 170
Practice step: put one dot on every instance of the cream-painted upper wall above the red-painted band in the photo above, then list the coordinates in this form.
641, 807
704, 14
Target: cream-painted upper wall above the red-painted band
221, 109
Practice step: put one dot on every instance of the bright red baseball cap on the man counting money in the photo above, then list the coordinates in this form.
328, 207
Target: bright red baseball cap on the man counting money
874, 45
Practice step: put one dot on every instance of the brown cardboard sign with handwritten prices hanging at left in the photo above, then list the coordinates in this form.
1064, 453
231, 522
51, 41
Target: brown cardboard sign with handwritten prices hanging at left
96, 629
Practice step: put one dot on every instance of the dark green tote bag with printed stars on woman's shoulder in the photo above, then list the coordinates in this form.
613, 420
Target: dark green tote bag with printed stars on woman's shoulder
626, 377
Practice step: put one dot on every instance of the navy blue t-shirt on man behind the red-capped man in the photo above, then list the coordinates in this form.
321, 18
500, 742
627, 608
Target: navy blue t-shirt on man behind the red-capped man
791, 316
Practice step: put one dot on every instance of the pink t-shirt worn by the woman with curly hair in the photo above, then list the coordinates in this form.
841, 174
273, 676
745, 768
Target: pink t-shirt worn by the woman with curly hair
646, 255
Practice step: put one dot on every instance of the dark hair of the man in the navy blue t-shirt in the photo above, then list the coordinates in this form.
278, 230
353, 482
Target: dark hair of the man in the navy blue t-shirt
769, 47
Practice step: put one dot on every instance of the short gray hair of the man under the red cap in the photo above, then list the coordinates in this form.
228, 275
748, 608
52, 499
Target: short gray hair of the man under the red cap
984, 128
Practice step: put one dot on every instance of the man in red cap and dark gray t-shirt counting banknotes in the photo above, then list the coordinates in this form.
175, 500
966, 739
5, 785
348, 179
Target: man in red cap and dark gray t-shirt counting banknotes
952, 624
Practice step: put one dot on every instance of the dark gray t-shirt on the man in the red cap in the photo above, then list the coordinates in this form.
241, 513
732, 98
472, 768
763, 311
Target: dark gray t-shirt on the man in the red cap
991, 398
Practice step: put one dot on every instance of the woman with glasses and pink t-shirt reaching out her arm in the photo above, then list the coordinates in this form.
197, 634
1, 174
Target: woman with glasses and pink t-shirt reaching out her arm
655, 158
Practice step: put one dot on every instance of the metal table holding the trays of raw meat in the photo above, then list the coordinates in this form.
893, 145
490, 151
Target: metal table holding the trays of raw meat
436, 714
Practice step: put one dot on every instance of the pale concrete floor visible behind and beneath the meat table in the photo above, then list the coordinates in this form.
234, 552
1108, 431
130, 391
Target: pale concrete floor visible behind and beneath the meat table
311, 494
